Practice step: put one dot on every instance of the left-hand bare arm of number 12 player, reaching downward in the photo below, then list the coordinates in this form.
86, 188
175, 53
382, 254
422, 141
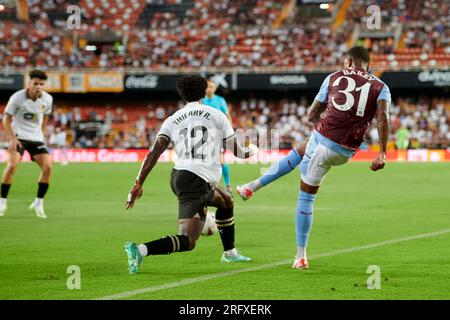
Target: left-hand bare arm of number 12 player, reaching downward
160, 145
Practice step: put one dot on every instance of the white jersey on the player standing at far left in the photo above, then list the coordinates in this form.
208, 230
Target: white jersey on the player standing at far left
28, 115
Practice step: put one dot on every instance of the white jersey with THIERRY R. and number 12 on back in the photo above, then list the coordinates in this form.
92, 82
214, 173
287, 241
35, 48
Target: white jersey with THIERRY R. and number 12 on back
198, 133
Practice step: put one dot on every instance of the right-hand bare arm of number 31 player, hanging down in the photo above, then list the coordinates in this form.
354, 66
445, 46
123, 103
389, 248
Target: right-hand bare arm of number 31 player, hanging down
383, 134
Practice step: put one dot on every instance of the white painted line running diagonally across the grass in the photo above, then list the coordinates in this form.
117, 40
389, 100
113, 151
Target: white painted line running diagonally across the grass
185, 282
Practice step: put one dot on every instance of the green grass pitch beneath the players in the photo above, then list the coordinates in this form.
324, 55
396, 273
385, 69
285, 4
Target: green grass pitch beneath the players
88, 226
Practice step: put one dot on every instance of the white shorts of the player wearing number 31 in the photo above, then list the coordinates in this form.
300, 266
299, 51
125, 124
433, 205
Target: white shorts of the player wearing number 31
316, 162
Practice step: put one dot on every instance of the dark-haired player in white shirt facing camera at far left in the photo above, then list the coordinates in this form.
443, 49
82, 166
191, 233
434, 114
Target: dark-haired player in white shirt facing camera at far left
24, 121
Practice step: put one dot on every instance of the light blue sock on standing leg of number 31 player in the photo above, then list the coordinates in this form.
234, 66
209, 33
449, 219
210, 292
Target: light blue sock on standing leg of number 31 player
304, 220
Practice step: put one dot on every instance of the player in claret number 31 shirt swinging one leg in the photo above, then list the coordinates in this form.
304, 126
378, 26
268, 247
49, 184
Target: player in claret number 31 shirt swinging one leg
352, 97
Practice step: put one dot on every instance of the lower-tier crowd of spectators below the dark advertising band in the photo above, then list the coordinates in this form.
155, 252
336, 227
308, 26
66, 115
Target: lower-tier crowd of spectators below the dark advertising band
126, 127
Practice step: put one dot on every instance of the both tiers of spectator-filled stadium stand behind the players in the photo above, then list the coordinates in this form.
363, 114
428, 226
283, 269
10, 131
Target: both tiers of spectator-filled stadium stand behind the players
164, 35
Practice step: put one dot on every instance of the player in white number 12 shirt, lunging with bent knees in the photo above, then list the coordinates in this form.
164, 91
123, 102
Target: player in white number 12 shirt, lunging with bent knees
198, 133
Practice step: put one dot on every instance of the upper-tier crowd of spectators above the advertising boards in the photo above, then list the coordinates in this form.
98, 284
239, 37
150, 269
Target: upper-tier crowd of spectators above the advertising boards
230, 33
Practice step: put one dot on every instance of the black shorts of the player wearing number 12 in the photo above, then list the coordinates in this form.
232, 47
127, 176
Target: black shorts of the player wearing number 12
193, 193
